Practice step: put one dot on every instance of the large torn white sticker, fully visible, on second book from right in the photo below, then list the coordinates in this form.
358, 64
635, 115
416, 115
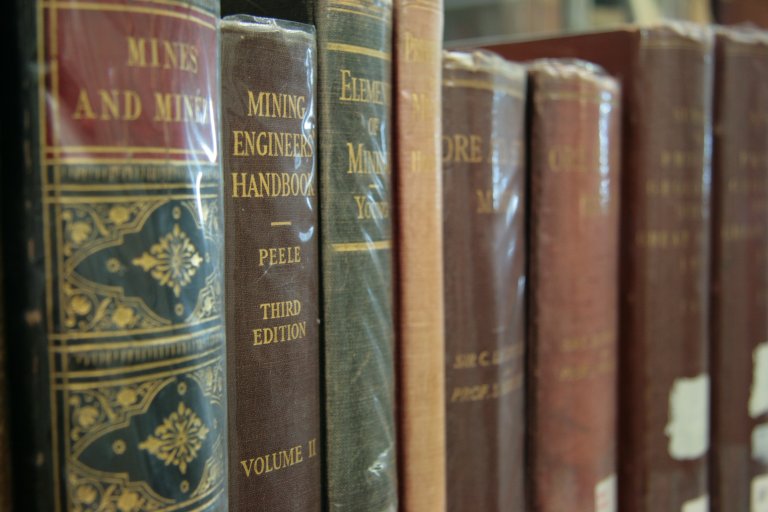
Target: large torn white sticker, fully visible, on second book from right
688, 424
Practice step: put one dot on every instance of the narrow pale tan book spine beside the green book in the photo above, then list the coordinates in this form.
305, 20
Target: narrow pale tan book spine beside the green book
420, 319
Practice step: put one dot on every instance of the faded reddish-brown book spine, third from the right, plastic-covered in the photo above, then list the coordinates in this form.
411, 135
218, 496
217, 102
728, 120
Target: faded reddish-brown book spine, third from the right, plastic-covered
573, 336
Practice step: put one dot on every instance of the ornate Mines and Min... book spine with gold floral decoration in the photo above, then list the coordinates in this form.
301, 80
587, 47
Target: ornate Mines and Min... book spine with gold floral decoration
121, 374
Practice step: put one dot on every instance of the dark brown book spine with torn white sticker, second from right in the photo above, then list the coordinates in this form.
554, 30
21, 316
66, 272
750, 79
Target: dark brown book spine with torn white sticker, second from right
664, 368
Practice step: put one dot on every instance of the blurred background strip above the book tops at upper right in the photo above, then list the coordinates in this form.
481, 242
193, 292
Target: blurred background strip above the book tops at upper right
470, 19
